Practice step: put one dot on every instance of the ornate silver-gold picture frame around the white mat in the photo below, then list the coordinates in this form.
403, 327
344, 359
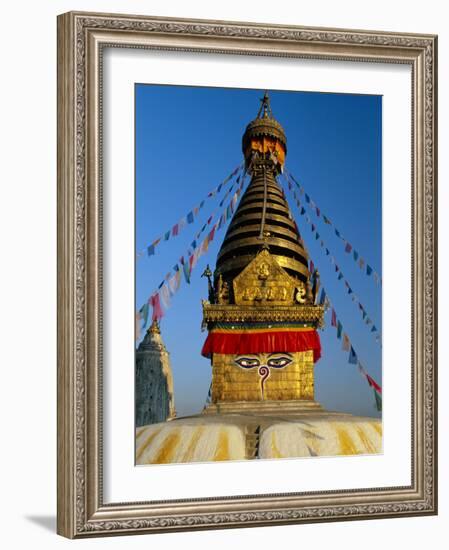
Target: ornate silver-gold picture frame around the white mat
82, 39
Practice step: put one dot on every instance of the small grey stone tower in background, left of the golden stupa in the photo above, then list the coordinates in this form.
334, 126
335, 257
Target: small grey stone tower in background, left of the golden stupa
154, 380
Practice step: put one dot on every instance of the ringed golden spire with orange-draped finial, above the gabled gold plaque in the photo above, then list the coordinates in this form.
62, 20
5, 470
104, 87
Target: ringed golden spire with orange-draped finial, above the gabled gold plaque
263, 218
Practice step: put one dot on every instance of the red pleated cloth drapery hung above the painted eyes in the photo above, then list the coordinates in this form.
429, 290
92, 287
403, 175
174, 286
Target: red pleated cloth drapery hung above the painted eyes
241, 342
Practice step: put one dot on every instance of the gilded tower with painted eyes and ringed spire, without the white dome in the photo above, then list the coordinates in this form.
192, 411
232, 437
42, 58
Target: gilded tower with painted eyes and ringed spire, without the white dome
262, 316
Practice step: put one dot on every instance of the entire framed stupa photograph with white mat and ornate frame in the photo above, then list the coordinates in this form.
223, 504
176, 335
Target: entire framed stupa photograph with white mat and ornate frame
246, 274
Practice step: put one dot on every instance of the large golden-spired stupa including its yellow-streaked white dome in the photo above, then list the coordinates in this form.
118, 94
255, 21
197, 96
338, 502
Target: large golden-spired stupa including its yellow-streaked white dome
262, 319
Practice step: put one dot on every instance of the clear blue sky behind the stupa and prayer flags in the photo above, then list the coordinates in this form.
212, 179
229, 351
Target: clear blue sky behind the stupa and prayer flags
188, 139
